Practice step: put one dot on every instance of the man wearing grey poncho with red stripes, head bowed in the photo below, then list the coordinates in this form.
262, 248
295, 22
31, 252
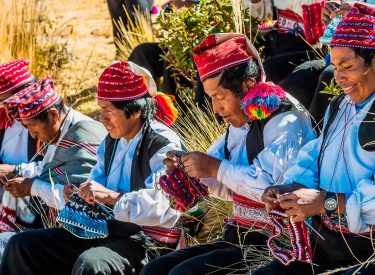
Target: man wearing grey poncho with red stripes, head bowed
70, 142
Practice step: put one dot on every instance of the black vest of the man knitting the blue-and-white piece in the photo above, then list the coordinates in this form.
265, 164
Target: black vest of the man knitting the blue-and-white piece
150, 143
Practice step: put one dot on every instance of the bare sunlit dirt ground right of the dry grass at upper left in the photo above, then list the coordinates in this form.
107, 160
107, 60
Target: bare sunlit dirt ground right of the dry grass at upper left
86, 27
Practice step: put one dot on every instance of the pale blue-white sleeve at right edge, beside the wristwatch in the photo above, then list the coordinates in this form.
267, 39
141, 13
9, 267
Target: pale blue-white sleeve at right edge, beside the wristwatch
360, 207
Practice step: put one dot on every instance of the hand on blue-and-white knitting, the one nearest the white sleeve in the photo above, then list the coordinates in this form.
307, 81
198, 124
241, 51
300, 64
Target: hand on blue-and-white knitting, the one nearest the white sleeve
93, 192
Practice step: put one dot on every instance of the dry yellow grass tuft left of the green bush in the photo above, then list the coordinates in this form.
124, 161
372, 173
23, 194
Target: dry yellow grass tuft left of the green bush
133, 34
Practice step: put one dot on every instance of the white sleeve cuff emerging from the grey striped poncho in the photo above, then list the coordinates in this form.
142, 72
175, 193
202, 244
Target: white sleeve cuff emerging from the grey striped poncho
52, 196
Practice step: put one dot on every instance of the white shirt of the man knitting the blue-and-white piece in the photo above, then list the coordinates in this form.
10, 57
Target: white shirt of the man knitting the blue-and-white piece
147, 206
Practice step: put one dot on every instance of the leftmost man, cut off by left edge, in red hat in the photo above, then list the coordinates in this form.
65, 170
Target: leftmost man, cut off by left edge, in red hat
15, 77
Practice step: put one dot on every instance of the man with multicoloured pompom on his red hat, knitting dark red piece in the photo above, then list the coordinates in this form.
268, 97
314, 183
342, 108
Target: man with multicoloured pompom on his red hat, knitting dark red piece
252, 155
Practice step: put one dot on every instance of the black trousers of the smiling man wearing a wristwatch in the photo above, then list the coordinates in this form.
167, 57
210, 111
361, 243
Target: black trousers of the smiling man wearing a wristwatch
335, 251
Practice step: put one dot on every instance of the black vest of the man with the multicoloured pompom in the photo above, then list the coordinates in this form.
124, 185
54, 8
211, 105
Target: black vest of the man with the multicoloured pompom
254, 138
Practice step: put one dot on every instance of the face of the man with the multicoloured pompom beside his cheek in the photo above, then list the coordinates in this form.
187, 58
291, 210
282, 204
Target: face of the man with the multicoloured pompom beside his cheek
225, 103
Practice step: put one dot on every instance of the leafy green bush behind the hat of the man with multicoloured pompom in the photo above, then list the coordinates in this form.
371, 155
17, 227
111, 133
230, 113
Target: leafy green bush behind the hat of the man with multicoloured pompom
183, 29
